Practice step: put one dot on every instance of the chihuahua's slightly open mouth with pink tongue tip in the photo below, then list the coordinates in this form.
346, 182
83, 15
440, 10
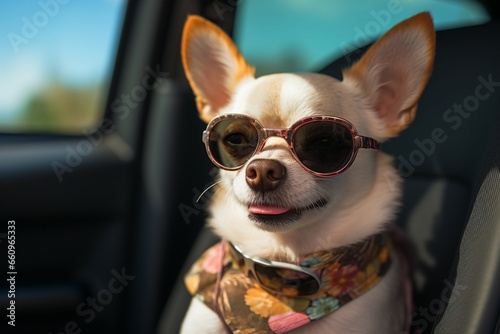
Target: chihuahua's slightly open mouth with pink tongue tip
269, 216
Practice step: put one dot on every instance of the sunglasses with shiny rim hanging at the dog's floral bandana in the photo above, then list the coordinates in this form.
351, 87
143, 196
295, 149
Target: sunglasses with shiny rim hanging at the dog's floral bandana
284, 278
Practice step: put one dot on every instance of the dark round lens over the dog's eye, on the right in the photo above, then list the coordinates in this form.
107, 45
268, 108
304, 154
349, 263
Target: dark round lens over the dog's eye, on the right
322, 146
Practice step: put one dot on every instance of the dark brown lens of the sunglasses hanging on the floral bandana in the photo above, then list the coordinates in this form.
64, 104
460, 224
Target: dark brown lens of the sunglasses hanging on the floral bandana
287, 281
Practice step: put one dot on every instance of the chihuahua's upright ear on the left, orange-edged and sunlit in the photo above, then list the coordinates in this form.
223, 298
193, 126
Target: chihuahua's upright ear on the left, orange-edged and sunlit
213, 65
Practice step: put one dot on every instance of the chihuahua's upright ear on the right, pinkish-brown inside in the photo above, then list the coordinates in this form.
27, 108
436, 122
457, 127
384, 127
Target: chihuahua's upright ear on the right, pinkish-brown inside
394, 71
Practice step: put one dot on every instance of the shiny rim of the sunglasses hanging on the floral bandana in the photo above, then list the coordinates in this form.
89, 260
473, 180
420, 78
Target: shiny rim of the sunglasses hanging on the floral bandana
249, 266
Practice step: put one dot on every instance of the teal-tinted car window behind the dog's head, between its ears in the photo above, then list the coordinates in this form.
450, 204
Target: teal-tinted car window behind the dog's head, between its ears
300, 35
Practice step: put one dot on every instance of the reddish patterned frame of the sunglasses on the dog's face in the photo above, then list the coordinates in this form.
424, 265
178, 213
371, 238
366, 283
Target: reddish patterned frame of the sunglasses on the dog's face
287, 134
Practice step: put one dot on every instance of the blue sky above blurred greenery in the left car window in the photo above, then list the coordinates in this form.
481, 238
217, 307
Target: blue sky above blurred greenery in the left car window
71, 40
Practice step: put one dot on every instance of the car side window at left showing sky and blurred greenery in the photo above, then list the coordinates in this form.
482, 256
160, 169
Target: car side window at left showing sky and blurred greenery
56, 59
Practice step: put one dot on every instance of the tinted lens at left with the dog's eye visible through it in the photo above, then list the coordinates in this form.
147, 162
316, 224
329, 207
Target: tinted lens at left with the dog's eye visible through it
233, 141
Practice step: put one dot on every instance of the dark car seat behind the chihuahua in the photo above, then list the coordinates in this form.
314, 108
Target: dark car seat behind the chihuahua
450, 161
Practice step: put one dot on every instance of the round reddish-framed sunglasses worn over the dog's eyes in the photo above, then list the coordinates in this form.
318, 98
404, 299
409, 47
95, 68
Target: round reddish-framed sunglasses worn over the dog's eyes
325, 146
